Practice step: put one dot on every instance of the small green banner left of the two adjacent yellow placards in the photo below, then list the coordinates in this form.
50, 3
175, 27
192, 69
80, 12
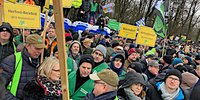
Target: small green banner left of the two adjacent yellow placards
112, 24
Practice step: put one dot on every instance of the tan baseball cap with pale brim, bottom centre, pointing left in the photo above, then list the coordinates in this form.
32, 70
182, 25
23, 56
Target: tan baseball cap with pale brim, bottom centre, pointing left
106, 75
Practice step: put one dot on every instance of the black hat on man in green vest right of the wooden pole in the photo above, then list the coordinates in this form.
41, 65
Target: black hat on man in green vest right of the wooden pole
87, 58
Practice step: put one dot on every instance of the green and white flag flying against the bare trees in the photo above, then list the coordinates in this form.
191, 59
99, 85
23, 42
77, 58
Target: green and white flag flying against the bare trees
160, 26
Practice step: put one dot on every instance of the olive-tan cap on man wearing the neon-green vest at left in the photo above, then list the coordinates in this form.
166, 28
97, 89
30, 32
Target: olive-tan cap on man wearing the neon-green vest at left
36, 40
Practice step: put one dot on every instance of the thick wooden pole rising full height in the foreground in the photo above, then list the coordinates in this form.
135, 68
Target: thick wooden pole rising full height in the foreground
59, 22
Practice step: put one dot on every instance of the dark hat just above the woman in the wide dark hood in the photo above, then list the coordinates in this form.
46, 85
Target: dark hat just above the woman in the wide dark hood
136, 66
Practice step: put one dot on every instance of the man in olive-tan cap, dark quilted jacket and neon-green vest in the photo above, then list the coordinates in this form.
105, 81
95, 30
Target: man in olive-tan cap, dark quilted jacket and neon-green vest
20, 68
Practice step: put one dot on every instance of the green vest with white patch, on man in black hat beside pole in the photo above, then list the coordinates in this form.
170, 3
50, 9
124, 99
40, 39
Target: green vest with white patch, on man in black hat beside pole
82, 91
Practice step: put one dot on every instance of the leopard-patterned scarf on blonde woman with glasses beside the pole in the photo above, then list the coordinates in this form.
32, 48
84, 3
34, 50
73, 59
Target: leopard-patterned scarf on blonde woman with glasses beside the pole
50, 88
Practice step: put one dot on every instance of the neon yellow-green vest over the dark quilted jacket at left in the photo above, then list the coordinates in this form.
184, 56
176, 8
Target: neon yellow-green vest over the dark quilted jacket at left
16, 77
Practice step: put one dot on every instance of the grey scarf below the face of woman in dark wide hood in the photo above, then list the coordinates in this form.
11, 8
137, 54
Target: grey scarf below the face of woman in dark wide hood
131, 94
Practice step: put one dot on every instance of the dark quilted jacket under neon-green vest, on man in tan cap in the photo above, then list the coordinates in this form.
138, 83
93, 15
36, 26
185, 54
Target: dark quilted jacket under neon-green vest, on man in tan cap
28, 72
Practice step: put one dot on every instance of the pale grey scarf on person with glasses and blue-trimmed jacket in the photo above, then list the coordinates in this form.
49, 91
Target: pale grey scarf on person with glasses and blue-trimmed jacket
165, 95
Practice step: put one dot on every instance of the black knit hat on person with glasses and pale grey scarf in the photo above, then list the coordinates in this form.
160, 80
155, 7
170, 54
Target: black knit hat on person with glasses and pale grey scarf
174, 72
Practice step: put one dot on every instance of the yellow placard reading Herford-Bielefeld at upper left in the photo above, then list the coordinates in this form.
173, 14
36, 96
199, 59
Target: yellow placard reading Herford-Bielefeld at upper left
22, 15
